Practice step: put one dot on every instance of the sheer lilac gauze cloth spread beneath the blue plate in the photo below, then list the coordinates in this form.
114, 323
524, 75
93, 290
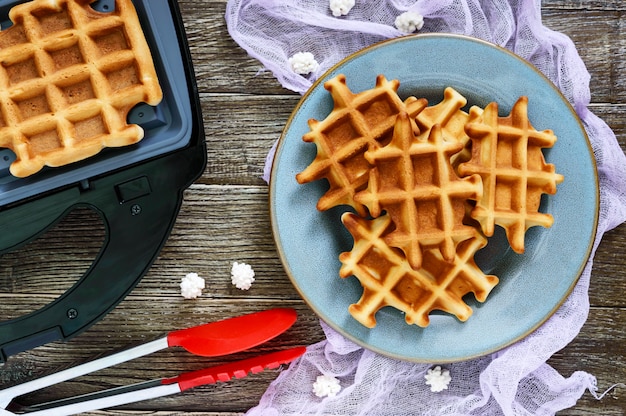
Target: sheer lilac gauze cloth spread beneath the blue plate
516, 380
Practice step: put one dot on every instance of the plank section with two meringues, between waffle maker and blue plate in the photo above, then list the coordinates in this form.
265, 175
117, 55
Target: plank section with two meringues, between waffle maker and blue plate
218, 226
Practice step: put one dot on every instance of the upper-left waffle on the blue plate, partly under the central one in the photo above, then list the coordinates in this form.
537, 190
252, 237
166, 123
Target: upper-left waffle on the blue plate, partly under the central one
358, 122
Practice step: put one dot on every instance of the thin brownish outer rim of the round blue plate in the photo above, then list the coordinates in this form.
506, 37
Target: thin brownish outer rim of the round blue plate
272, 191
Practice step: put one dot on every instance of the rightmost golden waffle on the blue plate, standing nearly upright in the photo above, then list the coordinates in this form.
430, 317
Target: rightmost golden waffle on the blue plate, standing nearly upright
507, 154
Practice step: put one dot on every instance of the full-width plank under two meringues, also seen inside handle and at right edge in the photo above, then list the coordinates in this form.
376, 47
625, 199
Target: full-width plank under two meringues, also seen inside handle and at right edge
217, 226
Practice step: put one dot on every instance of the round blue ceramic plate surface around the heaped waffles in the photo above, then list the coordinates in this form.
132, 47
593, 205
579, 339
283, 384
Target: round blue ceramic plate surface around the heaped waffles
532, 286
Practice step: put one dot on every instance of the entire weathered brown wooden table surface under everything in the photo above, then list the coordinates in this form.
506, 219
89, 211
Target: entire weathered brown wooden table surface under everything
224, 218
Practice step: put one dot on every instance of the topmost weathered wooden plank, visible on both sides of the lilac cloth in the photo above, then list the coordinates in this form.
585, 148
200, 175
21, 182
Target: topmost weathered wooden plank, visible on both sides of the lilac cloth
222, 66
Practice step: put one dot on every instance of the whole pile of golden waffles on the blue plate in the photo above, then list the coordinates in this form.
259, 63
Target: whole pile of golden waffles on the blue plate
427, 185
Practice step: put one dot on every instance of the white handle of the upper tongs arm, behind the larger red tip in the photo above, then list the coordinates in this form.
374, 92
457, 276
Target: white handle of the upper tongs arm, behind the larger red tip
8, 394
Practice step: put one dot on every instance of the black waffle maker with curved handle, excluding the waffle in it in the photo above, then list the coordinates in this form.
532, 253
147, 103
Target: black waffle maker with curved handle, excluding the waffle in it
136, 190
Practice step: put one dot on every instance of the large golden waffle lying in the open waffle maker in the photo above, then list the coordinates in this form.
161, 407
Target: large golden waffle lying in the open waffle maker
69, 75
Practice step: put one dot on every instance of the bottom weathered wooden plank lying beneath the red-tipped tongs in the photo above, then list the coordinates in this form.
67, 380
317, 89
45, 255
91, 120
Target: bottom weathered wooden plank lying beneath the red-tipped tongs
138, 320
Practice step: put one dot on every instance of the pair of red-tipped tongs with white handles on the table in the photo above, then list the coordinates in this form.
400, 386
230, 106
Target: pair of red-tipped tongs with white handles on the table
213, 339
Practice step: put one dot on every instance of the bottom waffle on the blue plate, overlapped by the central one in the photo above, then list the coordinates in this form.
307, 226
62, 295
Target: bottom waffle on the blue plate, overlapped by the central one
389, 280
